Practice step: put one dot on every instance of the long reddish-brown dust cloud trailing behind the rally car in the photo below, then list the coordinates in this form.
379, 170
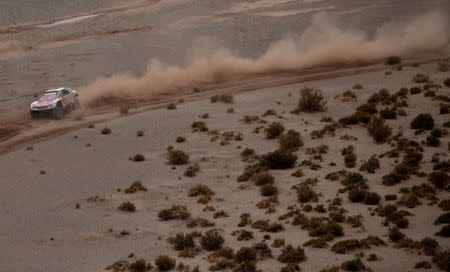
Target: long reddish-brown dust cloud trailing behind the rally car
322, 43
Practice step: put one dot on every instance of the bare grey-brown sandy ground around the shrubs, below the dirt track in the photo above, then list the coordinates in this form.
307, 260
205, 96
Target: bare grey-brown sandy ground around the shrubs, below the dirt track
43, 230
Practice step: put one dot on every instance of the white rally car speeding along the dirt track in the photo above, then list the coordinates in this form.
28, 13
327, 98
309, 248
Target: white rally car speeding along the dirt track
55, 102
